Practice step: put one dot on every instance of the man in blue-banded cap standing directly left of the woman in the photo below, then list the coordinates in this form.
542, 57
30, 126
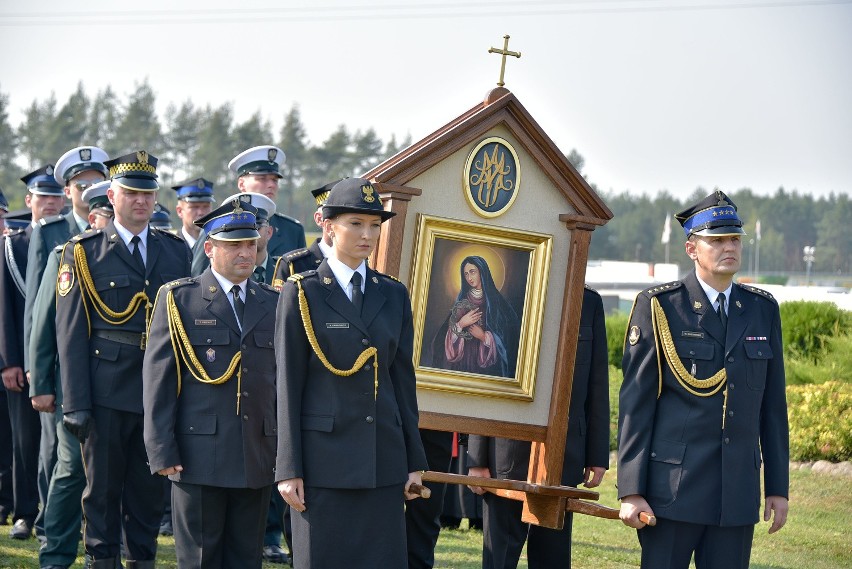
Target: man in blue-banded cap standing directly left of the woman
209, 382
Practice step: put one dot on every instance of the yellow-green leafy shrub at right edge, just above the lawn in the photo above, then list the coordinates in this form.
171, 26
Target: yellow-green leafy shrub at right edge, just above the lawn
820, 421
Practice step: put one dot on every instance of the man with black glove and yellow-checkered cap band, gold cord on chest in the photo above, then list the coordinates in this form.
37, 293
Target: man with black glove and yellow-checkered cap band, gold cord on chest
106, 287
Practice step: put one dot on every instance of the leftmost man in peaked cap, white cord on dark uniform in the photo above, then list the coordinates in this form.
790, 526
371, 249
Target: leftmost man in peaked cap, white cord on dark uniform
45, 197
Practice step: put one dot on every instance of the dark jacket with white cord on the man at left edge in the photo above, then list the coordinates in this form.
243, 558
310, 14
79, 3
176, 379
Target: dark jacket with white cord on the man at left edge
11, 298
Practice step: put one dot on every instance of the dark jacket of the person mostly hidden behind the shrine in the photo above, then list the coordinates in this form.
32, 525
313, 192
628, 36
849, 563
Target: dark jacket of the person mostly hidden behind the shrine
587, 443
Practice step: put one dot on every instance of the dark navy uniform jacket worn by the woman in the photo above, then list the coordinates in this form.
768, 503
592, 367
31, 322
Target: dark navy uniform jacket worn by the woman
334, 431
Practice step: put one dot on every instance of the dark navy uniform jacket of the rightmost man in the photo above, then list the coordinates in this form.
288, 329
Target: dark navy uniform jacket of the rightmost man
673, 449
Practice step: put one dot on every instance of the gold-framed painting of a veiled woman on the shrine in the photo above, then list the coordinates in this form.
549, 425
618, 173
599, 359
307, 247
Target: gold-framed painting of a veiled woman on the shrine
478, 294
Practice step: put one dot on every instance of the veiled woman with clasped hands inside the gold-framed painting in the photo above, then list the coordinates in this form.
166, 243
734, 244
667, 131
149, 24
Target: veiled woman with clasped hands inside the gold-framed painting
481, 332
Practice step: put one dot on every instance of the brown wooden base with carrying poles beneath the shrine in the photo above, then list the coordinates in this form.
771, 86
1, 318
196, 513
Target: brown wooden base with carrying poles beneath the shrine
543, 505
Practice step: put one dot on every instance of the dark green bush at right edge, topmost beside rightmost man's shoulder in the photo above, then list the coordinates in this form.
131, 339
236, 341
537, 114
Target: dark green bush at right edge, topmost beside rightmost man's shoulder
807, 325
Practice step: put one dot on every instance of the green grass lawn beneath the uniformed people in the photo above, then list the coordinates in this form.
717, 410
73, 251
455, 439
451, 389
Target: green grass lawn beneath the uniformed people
816, 536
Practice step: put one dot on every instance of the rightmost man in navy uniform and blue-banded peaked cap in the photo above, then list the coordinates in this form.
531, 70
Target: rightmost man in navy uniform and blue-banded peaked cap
703, 405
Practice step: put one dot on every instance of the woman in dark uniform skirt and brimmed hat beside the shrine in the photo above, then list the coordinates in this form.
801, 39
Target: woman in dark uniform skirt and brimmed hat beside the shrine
348, 444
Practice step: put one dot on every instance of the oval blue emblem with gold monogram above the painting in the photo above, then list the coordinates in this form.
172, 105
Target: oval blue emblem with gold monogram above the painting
492, 177
